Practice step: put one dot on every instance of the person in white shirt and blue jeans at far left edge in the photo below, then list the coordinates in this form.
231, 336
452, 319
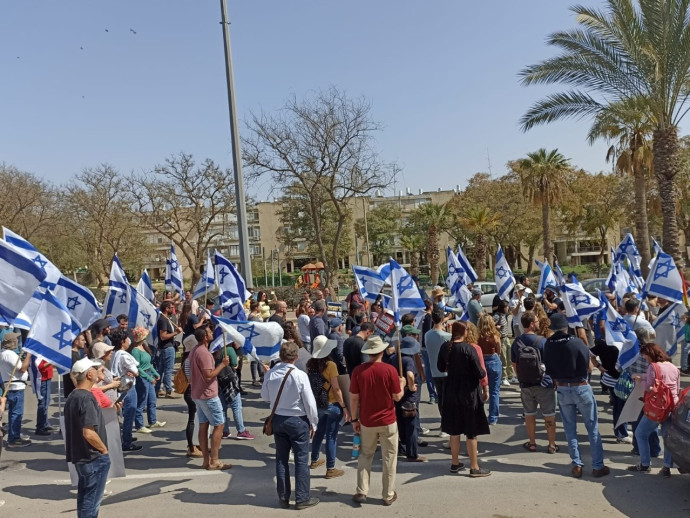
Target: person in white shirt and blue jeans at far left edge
14, 387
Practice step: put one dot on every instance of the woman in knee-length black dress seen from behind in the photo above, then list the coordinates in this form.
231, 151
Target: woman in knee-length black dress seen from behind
463, 404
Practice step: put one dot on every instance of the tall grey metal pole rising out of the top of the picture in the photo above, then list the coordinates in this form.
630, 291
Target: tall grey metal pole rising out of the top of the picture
245, 256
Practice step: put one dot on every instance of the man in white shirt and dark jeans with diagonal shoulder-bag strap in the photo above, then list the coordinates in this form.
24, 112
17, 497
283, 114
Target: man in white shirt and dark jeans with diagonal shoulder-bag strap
294, 424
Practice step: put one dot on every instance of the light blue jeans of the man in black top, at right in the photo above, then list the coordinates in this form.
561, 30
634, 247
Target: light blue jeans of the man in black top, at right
570, 400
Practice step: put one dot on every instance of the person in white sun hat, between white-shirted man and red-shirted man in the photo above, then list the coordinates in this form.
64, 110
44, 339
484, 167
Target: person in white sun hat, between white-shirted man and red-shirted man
330, 405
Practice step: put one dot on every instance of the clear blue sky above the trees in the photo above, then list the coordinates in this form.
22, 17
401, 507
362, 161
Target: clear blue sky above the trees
80, 88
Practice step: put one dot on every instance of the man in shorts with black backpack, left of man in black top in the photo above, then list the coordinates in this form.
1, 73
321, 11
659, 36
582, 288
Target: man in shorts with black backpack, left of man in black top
536, 387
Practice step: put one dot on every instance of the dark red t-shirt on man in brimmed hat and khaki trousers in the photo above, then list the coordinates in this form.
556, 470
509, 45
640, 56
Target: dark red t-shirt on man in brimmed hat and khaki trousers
375, 383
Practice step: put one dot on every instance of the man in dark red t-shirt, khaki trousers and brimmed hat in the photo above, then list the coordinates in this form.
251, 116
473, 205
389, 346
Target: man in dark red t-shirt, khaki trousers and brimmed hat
374, 387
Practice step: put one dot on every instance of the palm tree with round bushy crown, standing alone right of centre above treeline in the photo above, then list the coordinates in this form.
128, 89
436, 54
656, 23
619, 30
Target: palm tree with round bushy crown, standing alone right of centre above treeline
543, 179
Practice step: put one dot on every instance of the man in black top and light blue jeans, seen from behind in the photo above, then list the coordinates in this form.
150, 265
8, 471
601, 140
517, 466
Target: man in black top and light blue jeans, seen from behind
567, 362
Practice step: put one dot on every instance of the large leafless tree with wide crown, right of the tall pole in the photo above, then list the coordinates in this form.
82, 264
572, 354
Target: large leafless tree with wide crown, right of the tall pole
324, 145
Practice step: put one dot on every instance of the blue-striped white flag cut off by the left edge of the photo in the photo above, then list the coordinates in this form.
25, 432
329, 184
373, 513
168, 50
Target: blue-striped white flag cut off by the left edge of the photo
20, 277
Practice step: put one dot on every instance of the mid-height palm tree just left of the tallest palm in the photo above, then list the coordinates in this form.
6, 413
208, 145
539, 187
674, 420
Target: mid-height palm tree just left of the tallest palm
630, 124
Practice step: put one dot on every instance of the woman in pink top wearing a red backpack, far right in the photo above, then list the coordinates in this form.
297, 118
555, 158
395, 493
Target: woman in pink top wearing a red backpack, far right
662, 386
